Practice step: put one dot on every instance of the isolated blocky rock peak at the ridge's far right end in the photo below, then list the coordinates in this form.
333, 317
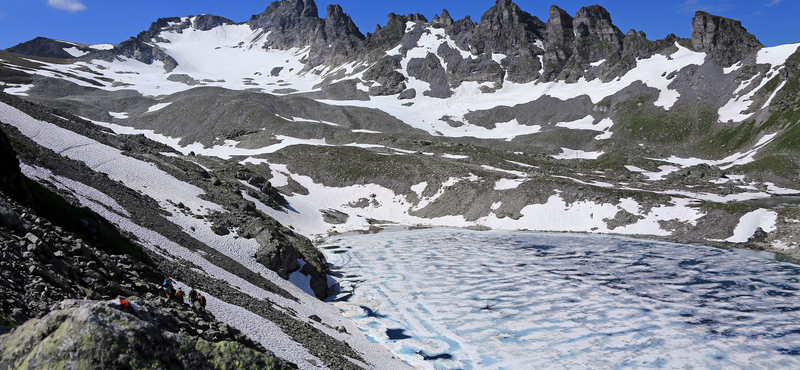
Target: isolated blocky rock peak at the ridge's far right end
724, 39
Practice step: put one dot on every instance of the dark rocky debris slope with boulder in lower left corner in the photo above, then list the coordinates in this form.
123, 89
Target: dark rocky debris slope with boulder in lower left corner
44, 265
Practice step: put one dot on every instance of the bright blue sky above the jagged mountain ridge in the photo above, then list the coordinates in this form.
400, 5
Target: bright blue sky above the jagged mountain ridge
774, 22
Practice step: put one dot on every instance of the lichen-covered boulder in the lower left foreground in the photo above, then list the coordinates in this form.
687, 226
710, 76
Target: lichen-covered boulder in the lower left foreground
96, 334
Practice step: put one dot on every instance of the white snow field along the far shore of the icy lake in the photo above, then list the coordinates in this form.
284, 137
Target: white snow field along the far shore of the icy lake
555, 215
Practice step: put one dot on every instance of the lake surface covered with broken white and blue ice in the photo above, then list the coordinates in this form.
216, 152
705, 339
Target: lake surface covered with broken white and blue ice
461, 299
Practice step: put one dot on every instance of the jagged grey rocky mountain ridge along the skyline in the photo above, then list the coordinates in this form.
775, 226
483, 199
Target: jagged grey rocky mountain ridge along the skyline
567, 45
